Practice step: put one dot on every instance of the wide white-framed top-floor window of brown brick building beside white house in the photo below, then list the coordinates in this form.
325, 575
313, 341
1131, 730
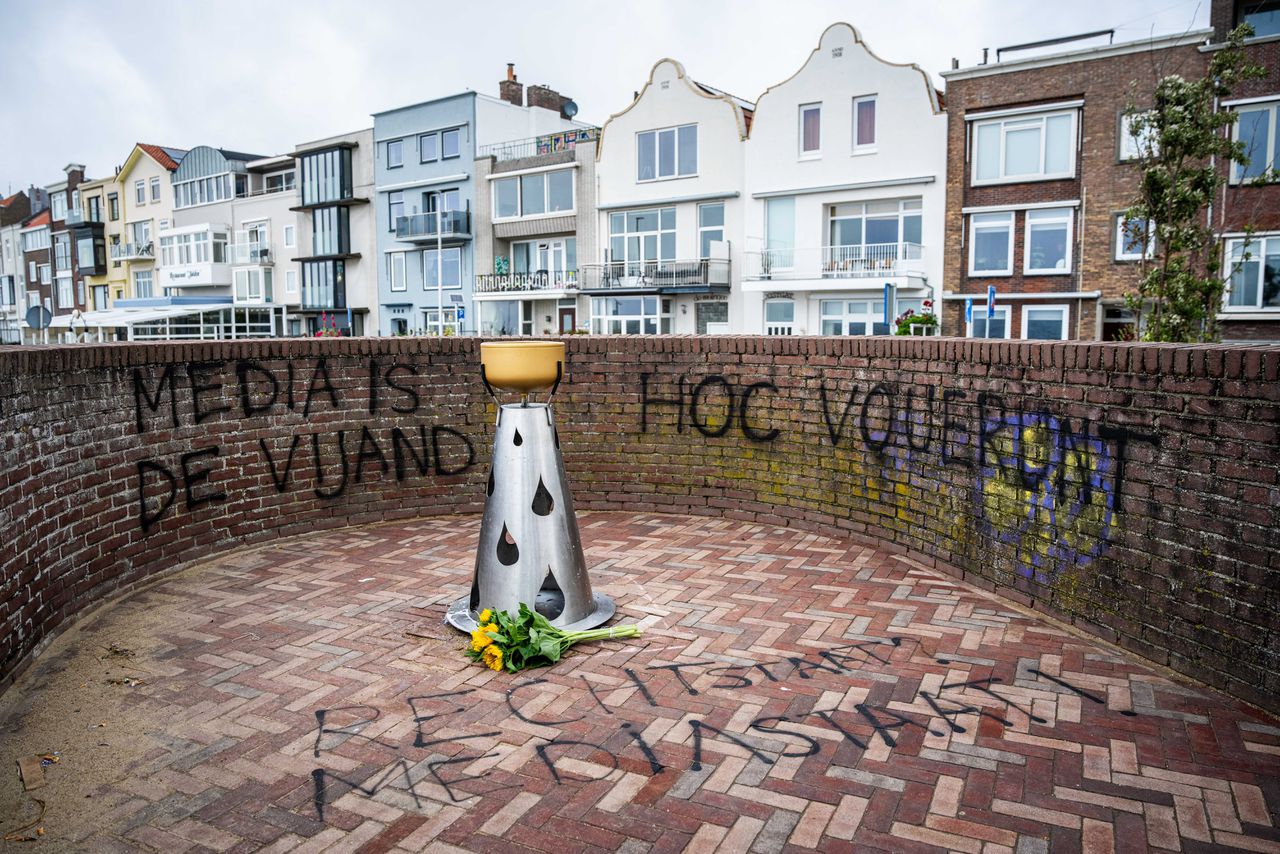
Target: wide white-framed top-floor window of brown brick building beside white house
1025, 148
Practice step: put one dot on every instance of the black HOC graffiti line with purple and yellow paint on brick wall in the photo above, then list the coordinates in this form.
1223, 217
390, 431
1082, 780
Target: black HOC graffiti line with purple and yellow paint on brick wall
1045, 488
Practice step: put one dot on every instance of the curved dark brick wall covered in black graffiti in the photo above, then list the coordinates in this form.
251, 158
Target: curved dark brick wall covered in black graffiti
1131, 490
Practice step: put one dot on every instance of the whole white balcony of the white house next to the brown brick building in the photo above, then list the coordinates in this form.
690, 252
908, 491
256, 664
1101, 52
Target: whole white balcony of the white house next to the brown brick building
835, 268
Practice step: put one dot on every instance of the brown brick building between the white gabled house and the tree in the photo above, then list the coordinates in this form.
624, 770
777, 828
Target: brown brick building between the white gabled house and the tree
1039, 176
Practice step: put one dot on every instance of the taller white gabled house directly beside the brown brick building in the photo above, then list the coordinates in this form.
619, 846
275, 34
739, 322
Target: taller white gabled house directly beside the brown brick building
845, 194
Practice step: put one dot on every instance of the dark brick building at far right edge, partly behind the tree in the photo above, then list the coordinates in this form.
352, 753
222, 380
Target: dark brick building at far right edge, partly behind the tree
1251, 307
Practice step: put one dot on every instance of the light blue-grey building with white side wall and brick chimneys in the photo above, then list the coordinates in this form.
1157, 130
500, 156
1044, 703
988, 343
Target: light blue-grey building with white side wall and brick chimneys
426, 194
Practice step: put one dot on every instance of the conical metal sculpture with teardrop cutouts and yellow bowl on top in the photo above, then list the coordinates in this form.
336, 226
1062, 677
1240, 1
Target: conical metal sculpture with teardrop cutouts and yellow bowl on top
529, 550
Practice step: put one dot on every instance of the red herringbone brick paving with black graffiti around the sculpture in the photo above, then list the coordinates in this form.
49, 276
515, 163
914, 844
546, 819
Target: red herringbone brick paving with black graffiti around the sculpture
828, 697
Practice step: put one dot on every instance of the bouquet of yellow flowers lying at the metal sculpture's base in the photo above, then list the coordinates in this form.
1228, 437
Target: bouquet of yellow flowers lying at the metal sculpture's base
514, 643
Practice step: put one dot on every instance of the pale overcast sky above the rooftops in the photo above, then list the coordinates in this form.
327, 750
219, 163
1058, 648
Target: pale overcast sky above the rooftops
85, 80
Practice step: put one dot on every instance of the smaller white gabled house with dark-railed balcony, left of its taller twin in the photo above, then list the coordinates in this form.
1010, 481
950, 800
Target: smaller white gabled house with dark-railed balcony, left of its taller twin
670, 205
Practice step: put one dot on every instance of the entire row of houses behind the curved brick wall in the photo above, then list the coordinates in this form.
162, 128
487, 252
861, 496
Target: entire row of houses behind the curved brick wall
839, 199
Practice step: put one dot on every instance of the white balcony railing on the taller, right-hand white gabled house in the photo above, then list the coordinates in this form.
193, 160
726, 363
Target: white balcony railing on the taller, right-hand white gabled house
867, 261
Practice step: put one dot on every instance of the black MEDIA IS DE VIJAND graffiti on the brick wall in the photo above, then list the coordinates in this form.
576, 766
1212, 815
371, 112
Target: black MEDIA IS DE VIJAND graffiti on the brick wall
330, 463
